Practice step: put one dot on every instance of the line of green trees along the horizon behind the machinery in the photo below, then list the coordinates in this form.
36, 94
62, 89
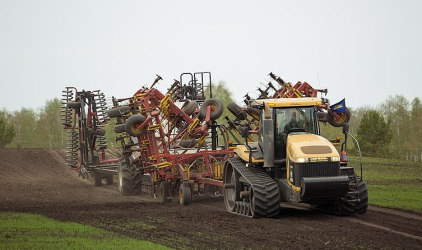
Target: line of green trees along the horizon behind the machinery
392, 129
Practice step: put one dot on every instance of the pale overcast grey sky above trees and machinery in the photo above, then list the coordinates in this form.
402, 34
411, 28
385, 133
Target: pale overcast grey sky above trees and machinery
362, 50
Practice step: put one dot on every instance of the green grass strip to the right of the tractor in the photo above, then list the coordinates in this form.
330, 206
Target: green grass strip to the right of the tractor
392, 183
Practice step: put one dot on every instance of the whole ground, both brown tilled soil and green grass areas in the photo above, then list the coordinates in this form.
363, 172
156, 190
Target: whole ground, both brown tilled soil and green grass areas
44, 204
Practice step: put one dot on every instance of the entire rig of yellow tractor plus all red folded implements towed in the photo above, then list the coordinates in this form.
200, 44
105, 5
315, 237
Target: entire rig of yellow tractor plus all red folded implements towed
170, 146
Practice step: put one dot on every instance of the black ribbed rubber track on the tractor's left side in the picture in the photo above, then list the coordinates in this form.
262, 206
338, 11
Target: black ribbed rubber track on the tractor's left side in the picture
265, 190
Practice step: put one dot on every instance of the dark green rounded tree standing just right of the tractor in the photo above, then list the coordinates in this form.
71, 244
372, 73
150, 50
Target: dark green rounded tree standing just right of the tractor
374, 134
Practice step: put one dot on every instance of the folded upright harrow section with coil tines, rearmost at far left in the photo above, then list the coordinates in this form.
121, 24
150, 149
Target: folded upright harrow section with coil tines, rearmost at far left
83, 115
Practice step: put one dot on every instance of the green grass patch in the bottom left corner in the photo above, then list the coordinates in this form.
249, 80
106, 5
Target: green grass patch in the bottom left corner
28, 231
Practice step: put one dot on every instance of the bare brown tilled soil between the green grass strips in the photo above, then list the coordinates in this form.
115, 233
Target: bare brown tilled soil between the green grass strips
37, 181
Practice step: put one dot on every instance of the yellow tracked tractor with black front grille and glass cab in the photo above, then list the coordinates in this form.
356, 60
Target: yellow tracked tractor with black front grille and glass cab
290, 162
